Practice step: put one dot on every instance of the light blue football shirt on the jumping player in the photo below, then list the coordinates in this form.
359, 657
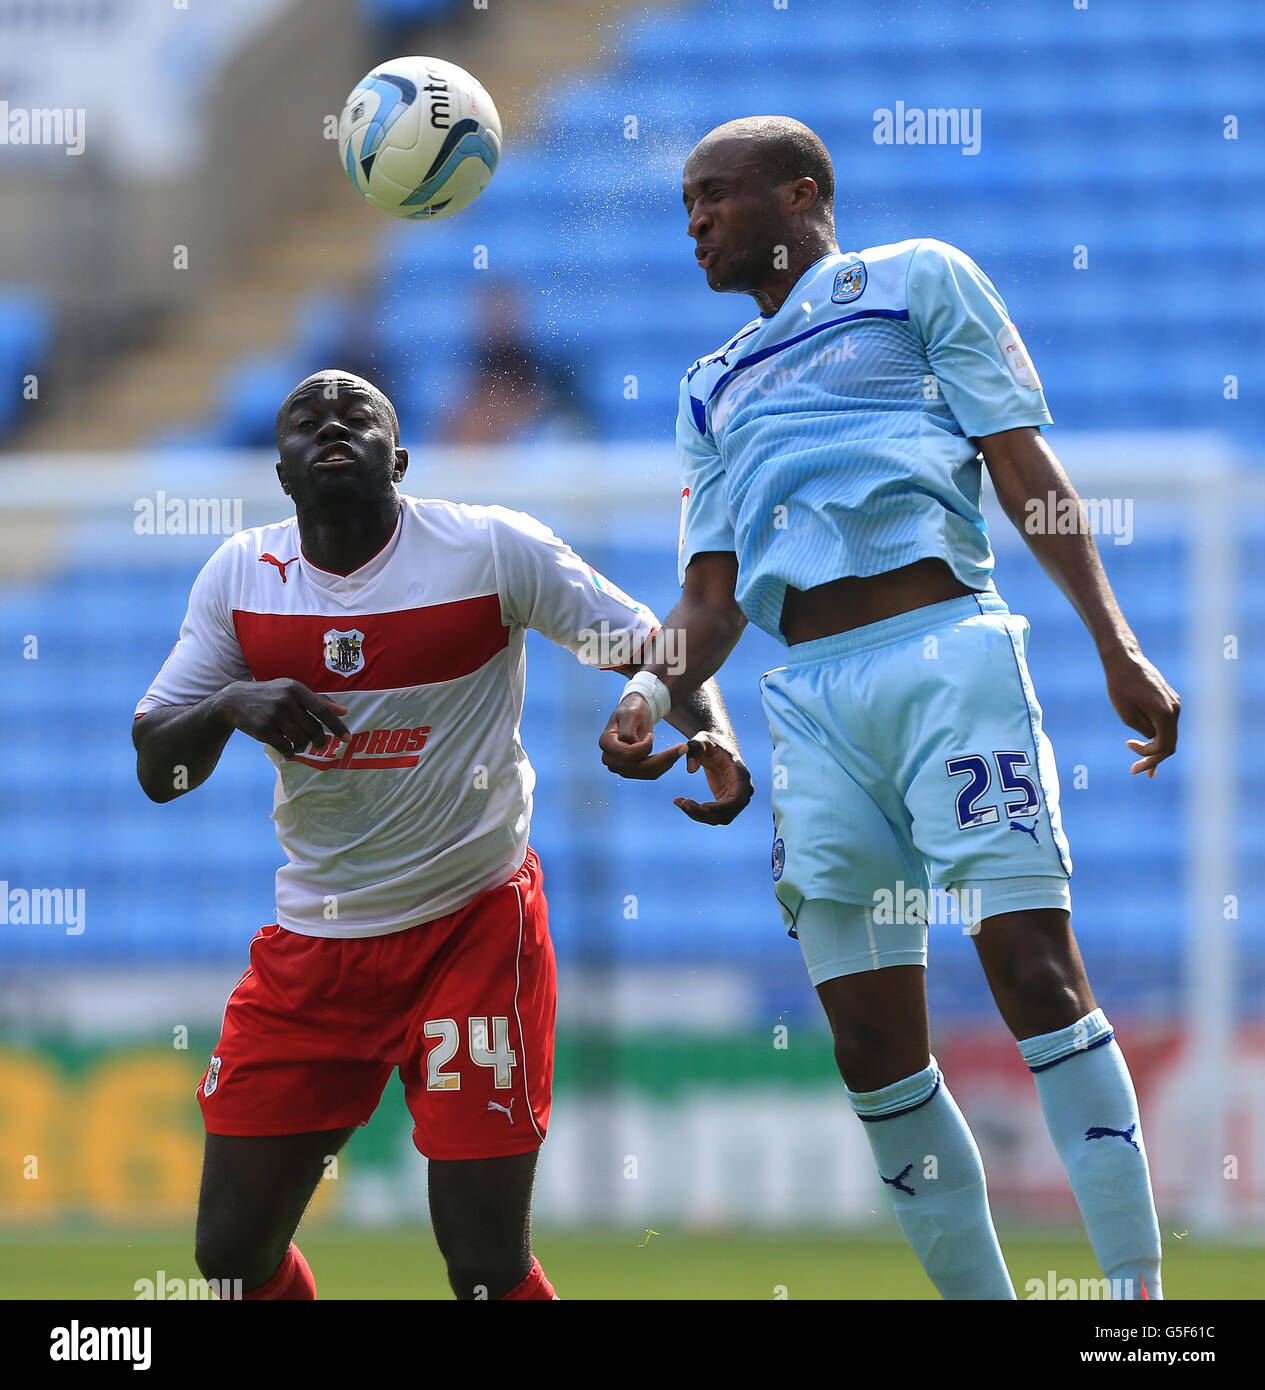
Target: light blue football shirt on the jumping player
835, 439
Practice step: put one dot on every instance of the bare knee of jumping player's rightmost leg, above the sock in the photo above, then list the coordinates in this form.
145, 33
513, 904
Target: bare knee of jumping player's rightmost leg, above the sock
1035, 971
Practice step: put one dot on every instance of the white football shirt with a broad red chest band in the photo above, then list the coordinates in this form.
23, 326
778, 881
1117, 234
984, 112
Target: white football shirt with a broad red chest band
430, 803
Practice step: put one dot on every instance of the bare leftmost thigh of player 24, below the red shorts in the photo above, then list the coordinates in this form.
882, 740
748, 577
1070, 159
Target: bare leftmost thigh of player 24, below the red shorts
255, 1191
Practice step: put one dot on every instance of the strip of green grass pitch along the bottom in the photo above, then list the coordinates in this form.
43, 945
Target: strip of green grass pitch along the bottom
617, 1266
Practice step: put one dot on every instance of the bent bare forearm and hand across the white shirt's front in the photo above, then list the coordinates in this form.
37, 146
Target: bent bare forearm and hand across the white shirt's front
284, 714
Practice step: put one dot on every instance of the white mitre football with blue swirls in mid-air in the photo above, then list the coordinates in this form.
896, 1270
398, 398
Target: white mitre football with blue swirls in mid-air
419, 138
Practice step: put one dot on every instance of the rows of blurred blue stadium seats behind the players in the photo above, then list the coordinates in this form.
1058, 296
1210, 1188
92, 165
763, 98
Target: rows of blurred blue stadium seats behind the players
1103, 129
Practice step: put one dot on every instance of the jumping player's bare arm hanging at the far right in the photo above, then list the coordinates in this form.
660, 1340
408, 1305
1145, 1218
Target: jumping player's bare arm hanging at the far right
1024, 466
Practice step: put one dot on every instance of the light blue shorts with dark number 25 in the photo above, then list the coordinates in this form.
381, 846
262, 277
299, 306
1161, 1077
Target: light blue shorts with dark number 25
908, 754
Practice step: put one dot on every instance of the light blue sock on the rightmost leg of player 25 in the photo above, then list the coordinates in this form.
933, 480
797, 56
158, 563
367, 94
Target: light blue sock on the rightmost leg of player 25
1092, 1115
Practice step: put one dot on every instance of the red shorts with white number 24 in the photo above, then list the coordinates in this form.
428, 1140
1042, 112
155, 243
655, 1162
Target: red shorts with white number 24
462, 1006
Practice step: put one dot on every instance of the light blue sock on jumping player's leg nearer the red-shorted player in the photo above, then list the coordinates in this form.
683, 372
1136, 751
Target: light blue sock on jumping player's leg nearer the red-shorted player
933, 1174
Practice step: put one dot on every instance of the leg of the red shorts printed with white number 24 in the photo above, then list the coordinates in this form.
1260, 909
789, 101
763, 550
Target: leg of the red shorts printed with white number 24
479, 1065
